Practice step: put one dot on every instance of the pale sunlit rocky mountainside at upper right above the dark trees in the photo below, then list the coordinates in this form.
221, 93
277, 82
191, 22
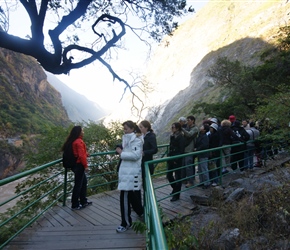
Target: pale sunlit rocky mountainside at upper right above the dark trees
236, 29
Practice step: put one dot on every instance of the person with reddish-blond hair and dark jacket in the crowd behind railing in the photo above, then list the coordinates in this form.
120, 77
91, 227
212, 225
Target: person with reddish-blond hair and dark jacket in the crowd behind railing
227, 137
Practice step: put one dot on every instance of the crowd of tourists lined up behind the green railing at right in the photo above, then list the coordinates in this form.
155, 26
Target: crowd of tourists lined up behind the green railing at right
187, 137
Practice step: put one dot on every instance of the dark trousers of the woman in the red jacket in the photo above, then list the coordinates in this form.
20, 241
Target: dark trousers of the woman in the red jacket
79, 194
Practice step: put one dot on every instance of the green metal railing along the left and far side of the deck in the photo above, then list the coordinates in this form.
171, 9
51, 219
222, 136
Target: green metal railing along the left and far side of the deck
42, 187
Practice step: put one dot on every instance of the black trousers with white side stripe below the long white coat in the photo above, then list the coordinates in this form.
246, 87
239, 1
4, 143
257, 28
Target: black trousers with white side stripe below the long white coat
128, 199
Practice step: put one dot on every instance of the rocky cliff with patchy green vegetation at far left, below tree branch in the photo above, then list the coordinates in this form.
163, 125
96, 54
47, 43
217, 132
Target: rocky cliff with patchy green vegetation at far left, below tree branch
28, 103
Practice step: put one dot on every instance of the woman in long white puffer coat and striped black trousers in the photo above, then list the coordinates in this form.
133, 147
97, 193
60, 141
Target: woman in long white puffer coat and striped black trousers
130, 174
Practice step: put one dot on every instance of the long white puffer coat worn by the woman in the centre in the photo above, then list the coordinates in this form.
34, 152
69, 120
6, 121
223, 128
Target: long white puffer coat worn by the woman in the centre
130, 175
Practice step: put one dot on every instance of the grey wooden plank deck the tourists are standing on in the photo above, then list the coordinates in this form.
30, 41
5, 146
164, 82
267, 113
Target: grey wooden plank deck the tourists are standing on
94, 227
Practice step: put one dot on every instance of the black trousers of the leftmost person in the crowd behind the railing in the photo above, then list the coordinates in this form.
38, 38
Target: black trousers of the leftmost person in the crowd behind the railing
172, 169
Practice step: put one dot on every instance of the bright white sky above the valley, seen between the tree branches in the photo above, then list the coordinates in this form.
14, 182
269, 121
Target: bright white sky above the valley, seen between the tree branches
95, 81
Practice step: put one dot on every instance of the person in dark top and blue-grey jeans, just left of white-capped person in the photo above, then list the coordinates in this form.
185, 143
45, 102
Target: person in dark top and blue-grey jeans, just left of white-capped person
202, 143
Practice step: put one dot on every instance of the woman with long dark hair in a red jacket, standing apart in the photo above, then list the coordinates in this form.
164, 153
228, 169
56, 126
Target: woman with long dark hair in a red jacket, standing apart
79, 194
